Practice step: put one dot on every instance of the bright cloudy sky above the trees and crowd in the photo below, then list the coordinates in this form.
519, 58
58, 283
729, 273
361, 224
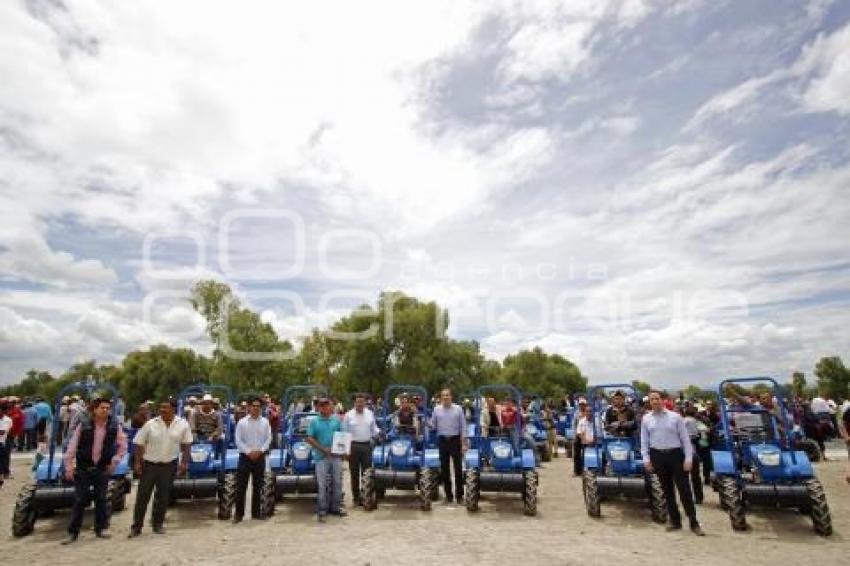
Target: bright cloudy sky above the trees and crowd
654, 189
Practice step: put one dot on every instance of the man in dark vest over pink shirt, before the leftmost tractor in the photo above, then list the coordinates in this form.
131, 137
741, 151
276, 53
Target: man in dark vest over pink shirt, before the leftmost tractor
97, 445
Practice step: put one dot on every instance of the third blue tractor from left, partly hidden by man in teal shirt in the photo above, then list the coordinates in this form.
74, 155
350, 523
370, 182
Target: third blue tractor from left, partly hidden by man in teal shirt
291, 467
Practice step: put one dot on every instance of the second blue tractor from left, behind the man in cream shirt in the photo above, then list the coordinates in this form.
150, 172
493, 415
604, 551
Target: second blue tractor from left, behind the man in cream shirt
212, 467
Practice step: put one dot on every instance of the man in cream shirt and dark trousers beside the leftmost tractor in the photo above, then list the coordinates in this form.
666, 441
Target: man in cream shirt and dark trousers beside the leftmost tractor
156, 447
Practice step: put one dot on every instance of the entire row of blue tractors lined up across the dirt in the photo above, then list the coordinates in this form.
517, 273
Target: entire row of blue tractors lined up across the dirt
753, 463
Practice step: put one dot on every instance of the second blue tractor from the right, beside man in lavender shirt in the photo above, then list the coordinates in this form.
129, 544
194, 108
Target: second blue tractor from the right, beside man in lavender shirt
613, 466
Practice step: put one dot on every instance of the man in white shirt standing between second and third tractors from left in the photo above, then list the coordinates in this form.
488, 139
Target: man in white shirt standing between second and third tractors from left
253, 437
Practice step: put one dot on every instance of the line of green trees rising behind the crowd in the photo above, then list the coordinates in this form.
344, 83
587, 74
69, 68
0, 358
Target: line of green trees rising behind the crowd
401, 339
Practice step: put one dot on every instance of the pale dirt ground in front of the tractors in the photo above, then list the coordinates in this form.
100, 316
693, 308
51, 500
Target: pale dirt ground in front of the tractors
398, 533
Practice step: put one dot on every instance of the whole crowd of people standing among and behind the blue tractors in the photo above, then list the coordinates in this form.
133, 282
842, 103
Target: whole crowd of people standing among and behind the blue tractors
675, 436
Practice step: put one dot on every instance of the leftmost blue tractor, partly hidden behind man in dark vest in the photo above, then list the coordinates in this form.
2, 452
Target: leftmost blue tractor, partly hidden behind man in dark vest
51, 491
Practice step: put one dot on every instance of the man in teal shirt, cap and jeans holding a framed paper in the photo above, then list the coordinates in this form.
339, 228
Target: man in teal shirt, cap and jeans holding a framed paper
320, 434
